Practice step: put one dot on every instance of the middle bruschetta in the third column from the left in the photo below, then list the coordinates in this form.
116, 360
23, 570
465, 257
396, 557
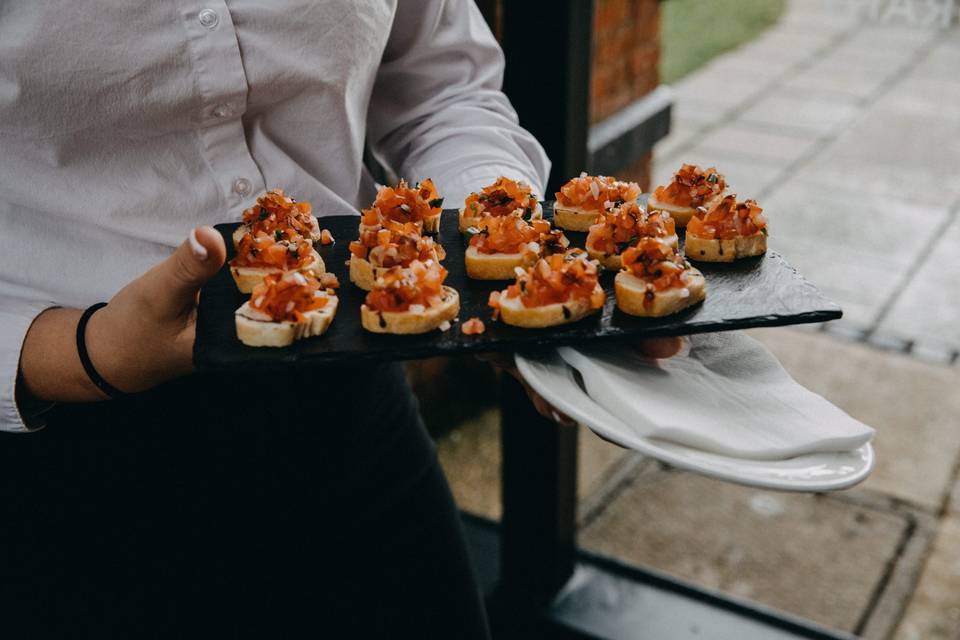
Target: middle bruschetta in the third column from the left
502, 243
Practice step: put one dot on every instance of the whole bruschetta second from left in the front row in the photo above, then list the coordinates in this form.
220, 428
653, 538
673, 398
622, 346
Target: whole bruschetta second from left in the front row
411, 300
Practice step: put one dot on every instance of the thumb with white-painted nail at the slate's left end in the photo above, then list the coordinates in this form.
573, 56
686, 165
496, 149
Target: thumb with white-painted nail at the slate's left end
194, 262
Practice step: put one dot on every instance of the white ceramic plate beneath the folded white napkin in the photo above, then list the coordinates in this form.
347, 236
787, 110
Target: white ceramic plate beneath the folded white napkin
550, 376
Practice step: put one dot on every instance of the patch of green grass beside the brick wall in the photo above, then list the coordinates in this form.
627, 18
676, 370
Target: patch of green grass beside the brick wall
694, 31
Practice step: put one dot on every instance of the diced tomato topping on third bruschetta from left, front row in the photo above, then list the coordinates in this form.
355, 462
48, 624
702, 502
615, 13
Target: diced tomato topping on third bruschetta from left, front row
556, 278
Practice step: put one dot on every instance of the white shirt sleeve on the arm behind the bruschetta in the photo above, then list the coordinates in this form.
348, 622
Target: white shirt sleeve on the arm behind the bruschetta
437, 110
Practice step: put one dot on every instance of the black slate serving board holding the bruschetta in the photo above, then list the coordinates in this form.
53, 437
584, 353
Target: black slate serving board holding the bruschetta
756, 292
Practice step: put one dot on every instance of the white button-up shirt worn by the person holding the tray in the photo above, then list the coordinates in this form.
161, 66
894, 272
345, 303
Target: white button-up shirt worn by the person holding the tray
125, 124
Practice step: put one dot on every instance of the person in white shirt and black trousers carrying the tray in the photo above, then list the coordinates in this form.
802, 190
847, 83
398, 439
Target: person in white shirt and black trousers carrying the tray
235, 504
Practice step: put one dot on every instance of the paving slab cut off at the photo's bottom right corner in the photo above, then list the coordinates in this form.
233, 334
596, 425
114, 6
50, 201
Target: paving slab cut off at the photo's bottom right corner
934, 610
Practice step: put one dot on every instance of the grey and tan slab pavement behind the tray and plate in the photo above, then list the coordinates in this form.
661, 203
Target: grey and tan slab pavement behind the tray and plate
848, 133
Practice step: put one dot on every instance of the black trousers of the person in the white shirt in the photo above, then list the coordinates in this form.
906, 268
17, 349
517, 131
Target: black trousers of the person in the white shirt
305, 505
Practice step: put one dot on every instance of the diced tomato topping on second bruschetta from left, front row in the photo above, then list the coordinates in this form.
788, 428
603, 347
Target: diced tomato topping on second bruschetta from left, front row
398, 288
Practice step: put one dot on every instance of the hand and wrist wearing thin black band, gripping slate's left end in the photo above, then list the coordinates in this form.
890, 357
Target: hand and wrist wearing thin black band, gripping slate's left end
143, 337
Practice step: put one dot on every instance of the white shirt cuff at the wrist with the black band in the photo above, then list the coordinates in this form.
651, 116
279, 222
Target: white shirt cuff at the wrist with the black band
16, 316
